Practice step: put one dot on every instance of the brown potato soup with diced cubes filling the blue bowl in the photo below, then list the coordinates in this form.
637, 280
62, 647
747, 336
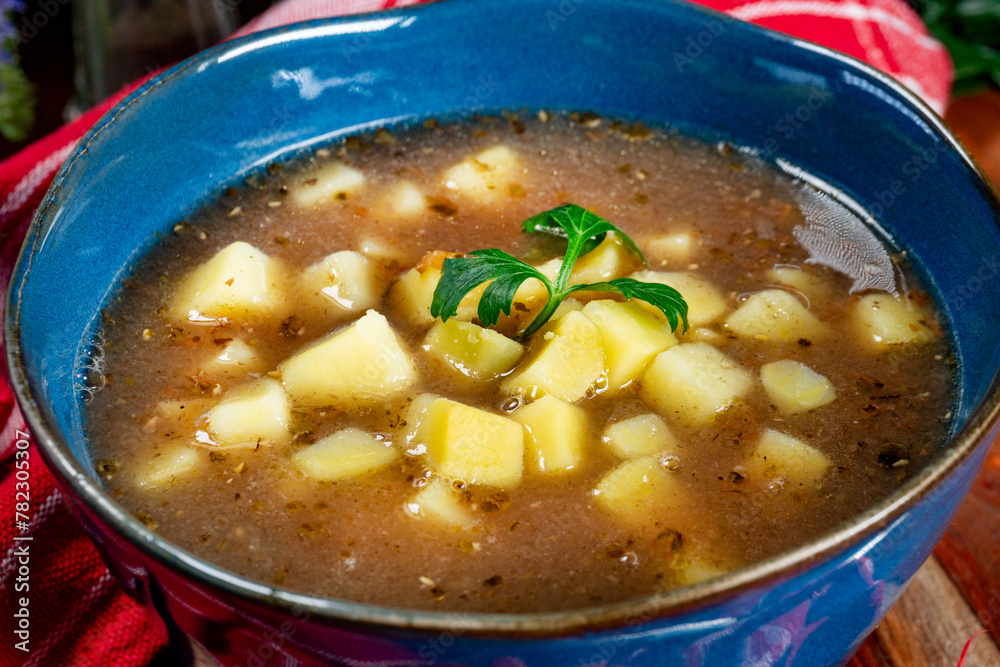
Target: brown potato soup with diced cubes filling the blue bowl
270, 391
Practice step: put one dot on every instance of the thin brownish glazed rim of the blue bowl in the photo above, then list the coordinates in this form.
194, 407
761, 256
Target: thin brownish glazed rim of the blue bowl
619, 615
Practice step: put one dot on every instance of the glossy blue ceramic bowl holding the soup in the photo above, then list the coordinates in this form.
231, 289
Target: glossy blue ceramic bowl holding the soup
181, 139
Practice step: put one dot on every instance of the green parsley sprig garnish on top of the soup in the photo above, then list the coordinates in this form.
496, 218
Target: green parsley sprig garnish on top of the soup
583, 232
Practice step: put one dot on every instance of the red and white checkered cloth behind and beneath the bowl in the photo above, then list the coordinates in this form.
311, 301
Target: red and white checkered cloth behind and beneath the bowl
77, 615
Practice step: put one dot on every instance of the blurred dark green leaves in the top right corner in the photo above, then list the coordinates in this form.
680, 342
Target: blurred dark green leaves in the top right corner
970, 30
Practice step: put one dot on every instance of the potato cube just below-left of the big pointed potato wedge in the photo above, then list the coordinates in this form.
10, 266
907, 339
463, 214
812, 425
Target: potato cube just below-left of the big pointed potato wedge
252, 414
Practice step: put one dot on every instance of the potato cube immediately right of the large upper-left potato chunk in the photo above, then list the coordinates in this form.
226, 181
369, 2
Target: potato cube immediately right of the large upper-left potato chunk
344, 282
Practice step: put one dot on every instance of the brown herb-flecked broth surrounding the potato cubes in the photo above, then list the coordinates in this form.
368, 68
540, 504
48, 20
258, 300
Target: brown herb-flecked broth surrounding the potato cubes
542, 545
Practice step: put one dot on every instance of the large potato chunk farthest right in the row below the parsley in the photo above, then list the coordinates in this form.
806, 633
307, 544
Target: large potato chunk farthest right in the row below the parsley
693, 382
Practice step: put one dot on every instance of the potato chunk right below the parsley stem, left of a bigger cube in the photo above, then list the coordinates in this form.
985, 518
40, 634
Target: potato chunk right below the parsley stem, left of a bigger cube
566, 364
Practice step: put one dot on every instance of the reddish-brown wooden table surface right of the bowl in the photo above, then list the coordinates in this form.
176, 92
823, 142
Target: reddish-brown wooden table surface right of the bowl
956, 594
